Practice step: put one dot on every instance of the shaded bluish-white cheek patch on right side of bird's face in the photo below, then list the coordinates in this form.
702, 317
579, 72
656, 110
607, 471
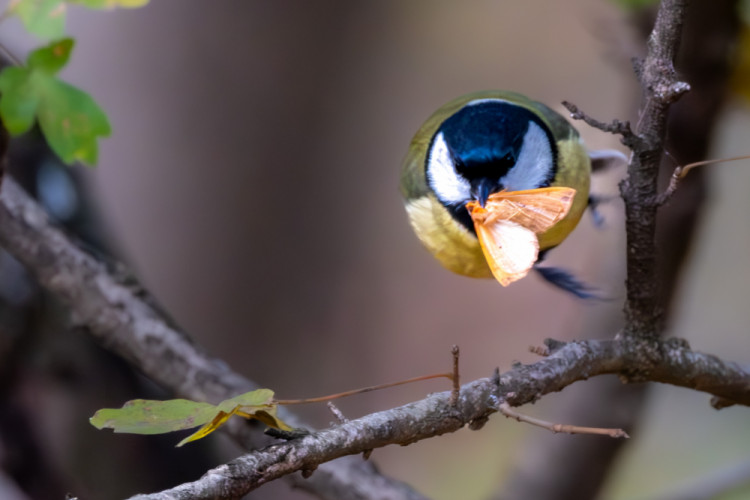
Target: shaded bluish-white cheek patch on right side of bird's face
534, 165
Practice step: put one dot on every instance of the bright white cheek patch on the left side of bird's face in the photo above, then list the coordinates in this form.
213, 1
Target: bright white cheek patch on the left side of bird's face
449, 187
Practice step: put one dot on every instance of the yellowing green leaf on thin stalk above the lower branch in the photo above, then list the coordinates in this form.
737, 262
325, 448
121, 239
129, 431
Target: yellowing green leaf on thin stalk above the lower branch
157, 417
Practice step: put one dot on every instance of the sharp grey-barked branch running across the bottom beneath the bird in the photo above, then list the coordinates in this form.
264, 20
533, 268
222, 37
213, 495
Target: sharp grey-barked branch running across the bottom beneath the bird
670, 362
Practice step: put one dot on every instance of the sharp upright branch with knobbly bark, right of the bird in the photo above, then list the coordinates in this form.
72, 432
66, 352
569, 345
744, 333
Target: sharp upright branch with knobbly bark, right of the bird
661, 88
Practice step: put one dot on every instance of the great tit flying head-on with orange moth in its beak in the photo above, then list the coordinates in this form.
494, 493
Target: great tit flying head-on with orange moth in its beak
501, 146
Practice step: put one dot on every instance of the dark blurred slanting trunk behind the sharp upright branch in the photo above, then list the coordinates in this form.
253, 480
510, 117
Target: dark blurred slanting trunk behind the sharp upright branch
552, 468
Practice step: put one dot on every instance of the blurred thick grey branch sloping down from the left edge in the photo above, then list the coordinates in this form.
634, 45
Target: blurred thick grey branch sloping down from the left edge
119, 314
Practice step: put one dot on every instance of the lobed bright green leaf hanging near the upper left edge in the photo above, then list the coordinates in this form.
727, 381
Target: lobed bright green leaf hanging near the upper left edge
69, 118
